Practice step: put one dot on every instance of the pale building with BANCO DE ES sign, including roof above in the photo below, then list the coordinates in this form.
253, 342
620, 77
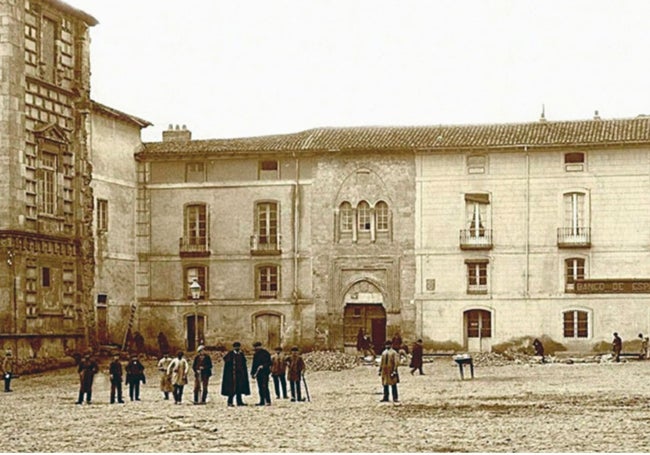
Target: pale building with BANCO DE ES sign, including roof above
534, 229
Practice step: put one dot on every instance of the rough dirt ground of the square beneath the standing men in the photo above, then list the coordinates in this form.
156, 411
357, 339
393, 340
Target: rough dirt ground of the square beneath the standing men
514, 408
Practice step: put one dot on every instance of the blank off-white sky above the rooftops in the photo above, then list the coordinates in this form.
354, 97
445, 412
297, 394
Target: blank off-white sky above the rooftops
241, 68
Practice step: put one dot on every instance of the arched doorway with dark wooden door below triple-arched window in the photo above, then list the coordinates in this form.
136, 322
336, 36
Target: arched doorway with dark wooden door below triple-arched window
364, 309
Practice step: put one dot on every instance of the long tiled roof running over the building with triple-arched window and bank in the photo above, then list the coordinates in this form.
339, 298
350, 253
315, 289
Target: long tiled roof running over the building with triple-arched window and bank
537, 134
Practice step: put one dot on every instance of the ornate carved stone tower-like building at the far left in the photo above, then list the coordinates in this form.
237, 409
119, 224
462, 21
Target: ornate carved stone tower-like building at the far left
46, 211
